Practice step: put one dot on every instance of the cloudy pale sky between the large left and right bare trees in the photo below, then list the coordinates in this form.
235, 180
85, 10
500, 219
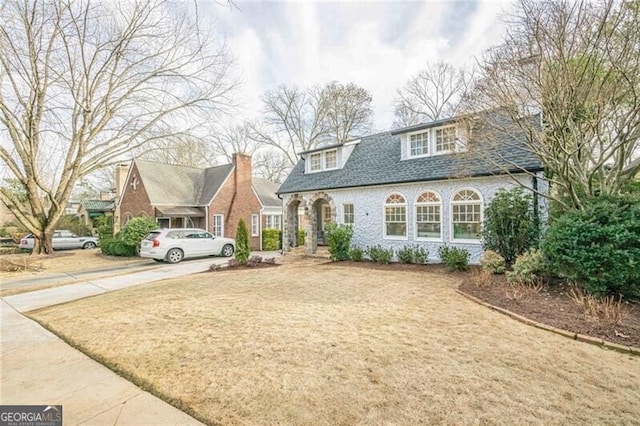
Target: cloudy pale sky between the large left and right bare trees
377, 45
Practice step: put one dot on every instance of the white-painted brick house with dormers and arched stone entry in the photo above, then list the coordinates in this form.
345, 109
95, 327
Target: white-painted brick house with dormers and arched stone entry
417, 185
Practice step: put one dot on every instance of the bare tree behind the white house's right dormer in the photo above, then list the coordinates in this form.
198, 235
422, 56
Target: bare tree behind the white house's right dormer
433, 93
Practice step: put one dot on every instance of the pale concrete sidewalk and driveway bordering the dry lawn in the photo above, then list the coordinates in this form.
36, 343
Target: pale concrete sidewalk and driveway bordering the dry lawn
39, 368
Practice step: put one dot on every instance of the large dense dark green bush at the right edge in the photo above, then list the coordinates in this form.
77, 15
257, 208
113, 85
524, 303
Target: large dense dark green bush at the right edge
598, 247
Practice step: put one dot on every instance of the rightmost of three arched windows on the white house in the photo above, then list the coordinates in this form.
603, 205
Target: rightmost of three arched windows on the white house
466, 215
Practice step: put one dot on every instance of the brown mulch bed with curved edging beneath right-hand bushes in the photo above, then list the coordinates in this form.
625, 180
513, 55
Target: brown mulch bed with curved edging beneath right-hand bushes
553, 306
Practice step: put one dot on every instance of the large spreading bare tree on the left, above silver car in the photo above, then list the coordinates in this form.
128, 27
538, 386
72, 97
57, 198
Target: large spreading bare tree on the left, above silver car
83, 83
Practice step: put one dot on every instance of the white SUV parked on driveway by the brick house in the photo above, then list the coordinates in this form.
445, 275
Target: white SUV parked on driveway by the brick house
173, 245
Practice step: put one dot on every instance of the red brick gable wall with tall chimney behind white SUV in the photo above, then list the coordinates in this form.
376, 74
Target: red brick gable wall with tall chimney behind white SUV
236, 200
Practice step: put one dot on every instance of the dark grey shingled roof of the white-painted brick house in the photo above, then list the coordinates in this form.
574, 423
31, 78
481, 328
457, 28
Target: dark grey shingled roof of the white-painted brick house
376, 161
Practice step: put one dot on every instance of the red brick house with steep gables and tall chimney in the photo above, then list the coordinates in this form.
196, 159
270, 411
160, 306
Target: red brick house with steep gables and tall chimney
214, 198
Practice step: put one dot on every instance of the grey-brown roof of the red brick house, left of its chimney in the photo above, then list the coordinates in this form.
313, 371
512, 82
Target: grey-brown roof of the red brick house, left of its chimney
168, 184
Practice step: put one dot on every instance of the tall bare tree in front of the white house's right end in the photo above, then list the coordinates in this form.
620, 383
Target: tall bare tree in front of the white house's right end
577, 64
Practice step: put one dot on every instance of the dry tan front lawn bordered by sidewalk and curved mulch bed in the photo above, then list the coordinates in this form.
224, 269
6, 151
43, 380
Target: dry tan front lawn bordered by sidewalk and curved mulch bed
309, 343
